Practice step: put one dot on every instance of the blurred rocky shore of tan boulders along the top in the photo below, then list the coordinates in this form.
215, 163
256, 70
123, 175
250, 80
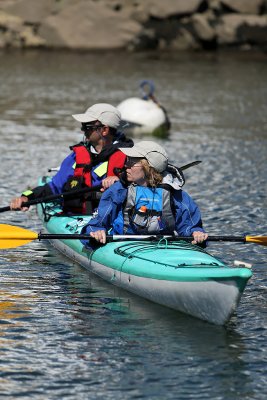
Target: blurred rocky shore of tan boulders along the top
134, 24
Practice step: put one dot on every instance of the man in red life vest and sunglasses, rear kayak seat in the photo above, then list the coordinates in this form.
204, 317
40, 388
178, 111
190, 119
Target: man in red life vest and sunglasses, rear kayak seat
93, 162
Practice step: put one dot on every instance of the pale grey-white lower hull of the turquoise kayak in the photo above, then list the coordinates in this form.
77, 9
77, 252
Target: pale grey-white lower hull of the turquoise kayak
210, 300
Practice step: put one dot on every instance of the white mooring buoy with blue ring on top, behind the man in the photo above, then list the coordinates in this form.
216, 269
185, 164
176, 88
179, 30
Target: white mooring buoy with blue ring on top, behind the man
144, 115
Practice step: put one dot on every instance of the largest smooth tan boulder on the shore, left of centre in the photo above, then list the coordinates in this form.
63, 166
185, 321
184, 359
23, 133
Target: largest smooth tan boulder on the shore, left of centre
94, 27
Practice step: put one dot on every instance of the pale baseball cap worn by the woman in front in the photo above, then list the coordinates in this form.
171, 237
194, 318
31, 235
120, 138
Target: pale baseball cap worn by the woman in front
151, 151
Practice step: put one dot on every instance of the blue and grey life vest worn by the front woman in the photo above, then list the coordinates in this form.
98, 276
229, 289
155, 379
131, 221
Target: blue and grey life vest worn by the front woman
146, 211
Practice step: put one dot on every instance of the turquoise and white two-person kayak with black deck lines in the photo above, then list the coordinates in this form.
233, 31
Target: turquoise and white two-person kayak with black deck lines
175, 274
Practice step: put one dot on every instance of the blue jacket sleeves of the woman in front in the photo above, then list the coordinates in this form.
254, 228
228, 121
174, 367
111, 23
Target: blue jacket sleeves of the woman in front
187, 214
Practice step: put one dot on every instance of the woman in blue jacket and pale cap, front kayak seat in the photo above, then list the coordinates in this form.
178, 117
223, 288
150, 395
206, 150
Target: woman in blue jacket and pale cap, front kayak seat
149, 201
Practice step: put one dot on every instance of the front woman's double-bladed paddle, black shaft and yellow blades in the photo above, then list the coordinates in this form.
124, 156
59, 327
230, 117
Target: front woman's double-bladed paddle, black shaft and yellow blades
14, 236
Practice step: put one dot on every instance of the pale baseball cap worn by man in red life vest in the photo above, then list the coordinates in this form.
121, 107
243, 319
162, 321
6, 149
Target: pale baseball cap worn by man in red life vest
103, 112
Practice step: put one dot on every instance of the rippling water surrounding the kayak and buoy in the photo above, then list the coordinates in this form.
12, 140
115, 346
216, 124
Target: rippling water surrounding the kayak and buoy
65, 334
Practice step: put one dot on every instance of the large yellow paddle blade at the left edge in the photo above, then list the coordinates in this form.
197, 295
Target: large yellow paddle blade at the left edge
14, 236
